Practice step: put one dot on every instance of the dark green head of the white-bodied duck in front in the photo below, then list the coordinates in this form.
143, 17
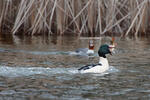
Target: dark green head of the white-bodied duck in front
103, 50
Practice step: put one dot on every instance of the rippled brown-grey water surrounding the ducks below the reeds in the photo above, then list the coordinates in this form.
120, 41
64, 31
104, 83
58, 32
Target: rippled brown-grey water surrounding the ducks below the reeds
45, 68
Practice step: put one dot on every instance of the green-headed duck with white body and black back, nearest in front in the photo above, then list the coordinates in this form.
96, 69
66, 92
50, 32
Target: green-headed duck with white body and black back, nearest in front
103, 64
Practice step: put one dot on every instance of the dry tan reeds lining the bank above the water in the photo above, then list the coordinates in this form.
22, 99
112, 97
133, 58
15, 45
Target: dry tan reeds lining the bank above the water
92, 17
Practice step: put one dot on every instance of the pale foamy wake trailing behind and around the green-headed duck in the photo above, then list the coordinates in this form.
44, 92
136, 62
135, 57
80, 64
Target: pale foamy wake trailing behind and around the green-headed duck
6, 71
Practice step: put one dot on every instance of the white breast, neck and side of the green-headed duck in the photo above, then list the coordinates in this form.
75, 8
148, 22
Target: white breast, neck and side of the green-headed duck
98, 68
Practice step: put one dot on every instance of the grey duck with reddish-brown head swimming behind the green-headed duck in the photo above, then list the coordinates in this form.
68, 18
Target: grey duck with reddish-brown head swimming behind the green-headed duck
88, 51
